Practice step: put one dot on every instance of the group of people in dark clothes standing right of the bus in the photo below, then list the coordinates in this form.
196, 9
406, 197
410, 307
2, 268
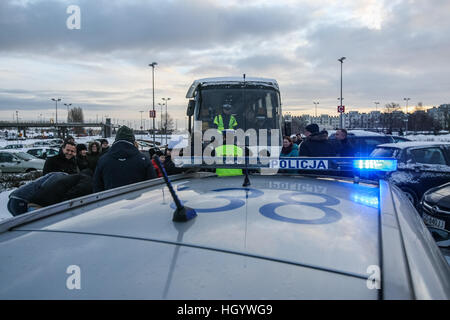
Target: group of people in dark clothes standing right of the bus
316, 144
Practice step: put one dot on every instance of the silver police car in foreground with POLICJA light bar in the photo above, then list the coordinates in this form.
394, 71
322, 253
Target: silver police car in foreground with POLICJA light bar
199, 236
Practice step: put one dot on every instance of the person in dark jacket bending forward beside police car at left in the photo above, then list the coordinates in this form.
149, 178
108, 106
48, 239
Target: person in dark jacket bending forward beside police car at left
52, 188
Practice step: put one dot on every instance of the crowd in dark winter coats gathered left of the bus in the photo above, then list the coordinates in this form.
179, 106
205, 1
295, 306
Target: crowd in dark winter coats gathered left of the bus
79, 170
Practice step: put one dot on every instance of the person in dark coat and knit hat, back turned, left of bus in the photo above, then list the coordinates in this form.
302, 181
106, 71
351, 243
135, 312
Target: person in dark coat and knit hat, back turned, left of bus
123, 164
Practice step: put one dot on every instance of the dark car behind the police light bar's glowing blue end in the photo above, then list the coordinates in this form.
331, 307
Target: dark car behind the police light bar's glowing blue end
364, 142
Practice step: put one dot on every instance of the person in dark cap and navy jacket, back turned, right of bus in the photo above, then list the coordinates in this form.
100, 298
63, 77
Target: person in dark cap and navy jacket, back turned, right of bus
316, 143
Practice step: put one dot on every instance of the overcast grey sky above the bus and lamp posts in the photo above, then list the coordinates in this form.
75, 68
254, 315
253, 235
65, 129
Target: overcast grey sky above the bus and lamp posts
394, 49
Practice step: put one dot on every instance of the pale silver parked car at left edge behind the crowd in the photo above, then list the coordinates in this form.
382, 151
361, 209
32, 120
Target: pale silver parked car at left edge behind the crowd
16, 162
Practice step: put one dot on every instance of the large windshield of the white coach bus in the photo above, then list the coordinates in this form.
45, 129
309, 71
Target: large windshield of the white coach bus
253, 107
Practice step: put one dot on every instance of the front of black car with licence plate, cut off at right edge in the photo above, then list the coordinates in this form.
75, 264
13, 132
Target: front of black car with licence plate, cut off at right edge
435, 210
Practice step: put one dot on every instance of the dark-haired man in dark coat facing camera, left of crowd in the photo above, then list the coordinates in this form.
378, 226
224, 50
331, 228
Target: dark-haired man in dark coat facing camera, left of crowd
63, 162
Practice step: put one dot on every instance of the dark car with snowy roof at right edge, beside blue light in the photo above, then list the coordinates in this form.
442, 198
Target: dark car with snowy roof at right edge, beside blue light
421, 166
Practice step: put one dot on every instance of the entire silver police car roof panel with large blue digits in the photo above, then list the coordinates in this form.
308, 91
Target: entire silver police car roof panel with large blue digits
300, 237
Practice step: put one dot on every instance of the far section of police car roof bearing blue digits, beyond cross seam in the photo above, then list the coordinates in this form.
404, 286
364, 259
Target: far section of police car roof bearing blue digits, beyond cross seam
315, 222
